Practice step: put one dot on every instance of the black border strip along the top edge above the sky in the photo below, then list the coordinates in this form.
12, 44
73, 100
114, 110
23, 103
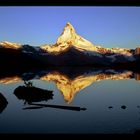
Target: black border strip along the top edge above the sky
69, 3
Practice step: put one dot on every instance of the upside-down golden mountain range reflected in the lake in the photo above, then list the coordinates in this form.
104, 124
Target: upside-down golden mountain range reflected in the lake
70, 81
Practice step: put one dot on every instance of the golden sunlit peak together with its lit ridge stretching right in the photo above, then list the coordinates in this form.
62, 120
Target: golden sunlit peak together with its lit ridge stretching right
69, 38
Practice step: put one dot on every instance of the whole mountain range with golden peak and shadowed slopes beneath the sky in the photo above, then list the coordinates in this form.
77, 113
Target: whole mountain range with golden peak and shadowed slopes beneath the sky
71, 49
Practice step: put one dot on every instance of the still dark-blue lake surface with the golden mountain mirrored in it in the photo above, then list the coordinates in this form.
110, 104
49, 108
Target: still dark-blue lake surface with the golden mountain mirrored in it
109, 101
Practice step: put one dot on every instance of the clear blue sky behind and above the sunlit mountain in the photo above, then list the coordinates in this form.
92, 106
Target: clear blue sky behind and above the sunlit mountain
105, 26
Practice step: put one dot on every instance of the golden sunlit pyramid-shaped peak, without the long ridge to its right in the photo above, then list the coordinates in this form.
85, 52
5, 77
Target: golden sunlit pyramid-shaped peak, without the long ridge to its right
69, 38
